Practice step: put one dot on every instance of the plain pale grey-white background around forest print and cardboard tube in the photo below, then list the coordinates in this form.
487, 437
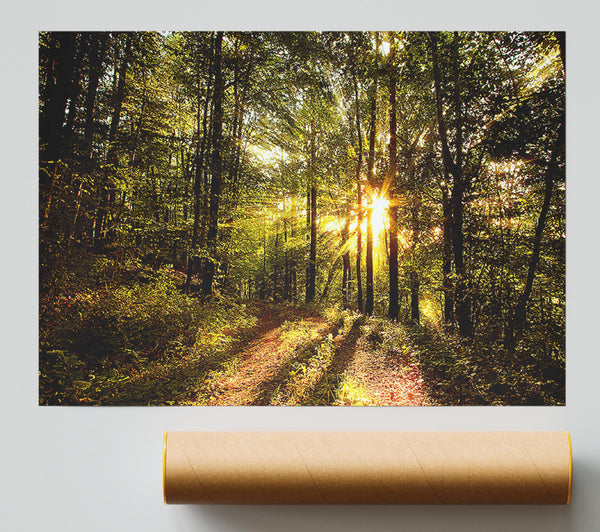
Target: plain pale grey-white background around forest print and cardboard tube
97, 469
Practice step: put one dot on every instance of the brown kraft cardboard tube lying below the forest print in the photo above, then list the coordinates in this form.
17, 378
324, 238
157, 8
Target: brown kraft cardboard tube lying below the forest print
367, 467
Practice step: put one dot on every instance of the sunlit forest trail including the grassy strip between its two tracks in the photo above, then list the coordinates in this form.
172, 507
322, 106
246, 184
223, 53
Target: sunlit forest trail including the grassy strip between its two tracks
314, 365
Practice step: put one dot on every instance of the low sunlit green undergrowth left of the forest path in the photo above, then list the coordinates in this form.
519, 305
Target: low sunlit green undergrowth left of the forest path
129, 329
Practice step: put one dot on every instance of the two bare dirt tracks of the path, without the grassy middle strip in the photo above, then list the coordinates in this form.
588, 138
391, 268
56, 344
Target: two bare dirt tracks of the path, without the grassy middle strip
364, 375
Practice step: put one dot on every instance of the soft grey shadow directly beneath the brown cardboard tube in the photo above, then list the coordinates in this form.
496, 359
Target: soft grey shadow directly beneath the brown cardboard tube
483, 518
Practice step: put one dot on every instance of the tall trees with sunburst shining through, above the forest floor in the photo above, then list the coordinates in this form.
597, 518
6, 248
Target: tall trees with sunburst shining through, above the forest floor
414, 175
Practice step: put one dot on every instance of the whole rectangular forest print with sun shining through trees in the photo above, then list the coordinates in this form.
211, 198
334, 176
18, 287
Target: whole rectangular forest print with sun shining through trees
302, 218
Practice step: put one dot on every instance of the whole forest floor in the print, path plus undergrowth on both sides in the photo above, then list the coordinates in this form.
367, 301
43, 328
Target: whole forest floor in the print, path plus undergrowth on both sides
148, 344
